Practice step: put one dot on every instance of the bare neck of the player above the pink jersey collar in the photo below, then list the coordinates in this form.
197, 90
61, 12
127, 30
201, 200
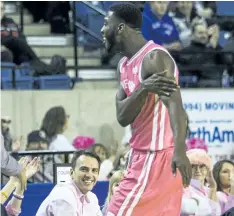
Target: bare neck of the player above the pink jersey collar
133, 45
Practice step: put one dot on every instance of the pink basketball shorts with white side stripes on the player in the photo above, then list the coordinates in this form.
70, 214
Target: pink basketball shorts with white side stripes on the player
149, 187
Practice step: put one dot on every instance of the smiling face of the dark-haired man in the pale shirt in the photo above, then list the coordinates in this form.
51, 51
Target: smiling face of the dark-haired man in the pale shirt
86, 173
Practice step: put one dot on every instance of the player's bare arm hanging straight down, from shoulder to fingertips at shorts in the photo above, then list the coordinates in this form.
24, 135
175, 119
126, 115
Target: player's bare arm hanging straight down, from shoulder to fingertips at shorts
155, 63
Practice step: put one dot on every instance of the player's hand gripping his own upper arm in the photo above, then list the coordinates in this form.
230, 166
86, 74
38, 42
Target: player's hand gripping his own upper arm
159, 84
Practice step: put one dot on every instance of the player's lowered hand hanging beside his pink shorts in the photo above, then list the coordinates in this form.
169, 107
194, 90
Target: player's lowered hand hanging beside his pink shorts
180, 161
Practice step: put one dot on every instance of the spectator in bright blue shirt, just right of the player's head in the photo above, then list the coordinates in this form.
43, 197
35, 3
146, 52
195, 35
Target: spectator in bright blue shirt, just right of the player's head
158, 25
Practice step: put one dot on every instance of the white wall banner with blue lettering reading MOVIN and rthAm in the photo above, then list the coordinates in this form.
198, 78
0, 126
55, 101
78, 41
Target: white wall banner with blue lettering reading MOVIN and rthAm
211, 116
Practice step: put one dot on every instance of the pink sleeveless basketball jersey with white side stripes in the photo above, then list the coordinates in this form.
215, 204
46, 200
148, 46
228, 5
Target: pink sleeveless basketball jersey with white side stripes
151, 130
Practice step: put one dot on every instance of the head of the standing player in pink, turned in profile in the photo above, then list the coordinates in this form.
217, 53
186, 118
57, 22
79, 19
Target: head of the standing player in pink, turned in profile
120, 22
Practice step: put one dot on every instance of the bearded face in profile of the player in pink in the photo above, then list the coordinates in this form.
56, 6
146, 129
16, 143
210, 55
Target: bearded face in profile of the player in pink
110, 33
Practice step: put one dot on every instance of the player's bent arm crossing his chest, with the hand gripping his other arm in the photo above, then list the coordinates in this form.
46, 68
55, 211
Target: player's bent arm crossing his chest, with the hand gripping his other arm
128, 108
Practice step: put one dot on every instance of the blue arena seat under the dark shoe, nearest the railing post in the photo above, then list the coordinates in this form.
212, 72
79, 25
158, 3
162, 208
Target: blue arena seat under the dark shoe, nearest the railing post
54, 82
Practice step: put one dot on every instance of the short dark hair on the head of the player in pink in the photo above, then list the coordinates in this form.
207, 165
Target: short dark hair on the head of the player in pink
129, 13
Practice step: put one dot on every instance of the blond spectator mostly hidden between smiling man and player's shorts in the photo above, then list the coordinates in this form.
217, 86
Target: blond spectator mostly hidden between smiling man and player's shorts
113, 186
